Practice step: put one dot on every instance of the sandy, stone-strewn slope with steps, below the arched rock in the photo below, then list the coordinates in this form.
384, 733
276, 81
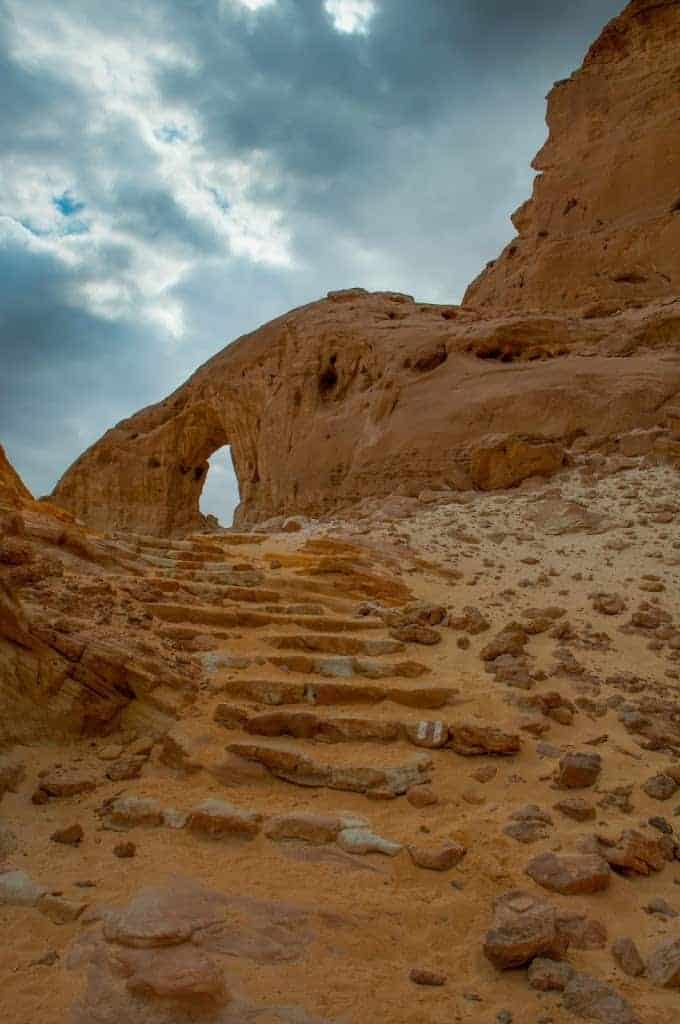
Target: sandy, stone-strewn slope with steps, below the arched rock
418, 765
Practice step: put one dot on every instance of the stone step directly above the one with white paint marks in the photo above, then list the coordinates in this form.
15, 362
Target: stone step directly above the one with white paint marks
278, 693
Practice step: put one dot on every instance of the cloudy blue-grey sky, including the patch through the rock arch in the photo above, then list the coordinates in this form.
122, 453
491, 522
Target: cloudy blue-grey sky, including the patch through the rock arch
176, 173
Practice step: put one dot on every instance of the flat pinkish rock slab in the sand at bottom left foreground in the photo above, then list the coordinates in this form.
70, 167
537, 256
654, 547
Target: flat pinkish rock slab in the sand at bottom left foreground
162, 959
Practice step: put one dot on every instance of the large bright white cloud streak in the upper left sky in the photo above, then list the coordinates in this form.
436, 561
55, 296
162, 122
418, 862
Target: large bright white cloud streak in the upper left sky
118, 77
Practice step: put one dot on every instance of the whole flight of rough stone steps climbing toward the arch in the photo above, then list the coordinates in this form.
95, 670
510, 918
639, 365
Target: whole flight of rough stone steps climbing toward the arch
304, 720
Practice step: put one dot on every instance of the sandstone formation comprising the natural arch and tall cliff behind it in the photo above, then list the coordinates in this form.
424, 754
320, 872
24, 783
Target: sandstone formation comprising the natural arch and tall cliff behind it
370, 395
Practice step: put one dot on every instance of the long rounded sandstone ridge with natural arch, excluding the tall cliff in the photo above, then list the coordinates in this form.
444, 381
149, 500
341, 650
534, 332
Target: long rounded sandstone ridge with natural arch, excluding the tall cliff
336, 402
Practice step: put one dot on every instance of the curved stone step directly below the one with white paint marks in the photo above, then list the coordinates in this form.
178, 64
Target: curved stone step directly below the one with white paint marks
391, 777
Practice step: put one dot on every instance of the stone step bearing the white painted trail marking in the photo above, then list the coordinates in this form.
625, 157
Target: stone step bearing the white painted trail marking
465, 738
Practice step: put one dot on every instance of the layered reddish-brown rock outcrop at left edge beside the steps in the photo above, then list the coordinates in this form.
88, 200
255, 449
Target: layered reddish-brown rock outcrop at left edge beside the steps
62, 673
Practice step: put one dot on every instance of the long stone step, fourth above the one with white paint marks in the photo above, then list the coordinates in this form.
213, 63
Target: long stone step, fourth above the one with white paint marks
236, 618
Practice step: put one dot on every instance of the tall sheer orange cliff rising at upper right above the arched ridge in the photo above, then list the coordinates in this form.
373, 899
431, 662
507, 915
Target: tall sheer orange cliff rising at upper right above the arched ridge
603, 229
